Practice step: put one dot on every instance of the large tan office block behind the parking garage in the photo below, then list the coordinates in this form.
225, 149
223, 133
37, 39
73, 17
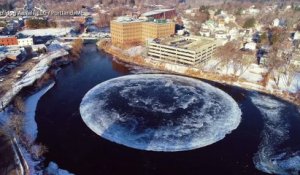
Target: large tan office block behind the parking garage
127, 30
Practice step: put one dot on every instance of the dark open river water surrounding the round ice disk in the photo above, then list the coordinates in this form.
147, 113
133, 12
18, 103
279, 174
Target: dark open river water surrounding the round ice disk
74, 147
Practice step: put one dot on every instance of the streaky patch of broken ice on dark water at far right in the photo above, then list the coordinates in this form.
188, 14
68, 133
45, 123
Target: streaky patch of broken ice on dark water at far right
271, 158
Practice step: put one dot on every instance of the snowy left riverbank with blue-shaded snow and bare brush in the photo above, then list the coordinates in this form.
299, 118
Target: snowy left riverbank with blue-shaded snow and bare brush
24, 145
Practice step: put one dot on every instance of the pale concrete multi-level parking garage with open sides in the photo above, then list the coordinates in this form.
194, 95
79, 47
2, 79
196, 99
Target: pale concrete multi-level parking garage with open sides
190, 51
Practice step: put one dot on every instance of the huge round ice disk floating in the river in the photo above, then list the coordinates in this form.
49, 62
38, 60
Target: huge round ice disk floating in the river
159, 112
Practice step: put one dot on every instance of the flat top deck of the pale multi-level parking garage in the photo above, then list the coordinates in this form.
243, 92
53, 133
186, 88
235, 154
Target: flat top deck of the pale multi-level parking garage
193, 43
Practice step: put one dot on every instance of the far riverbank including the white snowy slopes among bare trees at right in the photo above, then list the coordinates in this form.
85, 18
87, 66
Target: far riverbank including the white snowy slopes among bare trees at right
249, 79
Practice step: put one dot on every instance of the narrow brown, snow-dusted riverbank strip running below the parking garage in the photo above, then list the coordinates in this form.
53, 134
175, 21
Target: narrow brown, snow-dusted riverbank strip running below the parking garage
231, 80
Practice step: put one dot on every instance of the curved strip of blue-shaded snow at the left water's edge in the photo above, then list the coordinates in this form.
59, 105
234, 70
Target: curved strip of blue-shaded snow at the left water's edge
30, 125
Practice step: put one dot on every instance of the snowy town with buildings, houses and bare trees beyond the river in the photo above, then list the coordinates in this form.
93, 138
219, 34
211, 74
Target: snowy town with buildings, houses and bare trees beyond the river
250, 45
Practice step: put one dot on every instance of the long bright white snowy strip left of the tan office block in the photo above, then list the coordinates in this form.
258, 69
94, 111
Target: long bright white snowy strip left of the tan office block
47, 31
